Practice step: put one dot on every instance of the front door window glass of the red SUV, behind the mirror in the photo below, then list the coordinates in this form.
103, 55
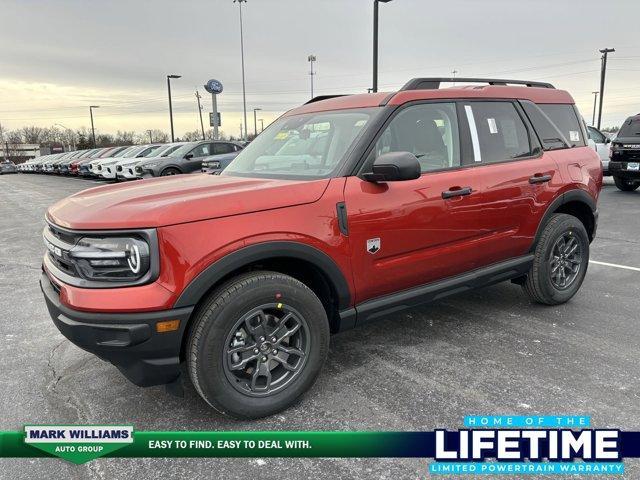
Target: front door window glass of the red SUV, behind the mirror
429, 131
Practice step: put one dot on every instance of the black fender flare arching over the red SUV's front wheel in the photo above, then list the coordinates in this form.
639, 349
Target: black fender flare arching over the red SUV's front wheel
211, 275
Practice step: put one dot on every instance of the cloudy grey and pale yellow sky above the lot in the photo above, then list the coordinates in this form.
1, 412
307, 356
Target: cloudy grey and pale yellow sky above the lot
59, 56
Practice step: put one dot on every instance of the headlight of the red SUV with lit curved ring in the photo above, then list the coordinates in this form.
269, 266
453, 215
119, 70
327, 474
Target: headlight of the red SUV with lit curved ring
114, 259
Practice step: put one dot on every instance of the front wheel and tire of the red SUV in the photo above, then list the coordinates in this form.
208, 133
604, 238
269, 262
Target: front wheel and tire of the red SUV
215, 332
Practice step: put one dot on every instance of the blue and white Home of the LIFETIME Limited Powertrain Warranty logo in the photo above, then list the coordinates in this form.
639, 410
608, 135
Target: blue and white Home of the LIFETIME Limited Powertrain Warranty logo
527, 445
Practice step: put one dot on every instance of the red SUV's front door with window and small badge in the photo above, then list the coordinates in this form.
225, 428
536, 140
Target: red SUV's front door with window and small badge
408, 233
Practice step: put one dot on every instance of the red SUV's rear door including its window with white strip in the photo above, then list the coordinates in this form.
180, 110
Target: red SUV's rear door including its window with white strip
516, 178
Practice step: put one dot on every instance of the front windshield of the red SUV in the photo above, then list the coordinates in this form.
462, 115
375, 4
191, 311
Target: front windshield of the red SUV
310, 145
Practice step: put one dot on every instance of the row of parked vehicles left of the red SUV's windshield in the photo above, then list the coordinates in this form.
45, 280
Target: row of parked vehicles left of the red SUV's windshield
137, 161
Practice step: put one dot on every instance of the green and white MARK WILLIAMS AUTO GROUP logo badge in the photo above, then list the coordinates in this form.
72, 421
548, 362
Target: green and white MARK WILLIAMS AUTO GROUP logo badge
78, 444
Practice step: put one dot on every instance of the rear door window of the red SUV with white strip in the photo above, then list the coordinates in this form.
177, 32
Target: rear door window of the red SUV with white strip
498, 133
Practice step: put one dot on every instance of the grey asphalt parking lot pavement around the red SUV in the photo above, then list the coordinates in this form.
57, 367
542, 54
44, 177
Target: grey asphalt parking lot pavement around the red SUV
485, 352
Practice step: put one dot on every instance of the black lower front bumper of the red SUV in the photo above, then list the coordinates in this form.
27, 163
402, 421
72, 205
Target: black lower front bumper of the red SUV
127, 340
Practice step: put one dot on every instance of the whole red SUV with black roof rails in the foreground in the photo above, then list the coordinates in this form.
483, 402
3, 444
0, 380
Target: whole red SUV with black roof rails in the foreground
344, 210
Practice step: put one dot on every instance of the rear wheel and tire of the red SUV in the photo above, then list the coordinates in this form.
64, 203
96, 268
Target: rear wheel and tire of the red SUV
541, 284
